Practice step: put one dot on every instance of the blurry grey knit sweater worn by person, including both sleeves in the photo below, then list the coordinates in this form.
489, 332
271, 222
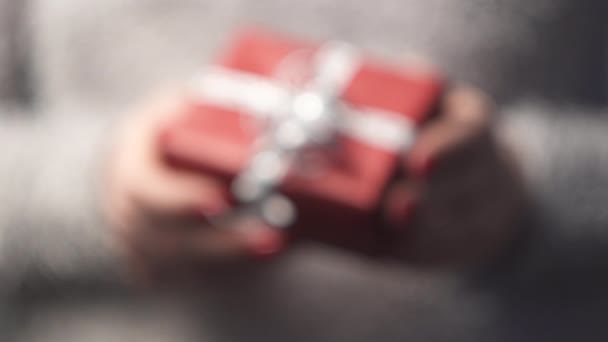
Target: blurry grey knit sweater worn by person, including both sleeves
83, 62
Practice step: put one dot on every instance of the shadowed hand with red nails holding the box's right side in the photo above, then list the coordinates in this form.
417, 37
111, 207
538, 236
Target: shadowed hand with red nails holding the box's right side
461, 198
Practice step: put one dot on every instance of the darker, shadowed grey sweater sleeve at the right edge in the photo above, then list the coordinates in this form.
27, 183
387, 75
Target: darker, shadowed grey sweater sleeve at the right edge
564, 154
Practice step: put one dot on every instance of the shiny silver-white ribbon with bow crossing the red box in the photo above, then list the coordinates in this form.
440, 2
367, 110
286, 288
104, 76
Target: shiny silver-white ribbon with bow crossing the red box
310, 115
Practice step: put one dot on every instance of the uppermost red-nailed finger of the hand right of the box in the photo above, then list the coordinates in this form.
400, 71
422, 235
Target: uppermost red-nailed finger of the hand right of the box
464, 116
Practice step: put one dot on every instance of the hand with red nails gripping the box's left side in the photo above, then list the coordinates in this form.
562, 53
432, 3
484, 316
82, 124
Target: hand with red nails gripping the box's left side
159, 213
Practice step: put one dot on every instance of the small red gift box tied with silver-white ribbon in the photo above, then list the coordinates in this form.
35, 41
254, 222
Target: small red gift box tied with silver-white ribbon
338, 188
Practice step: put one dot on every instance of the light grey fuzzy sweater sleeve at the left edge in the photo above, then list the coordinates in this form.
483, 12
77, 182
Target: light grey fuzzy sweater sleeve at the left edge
51, 226
